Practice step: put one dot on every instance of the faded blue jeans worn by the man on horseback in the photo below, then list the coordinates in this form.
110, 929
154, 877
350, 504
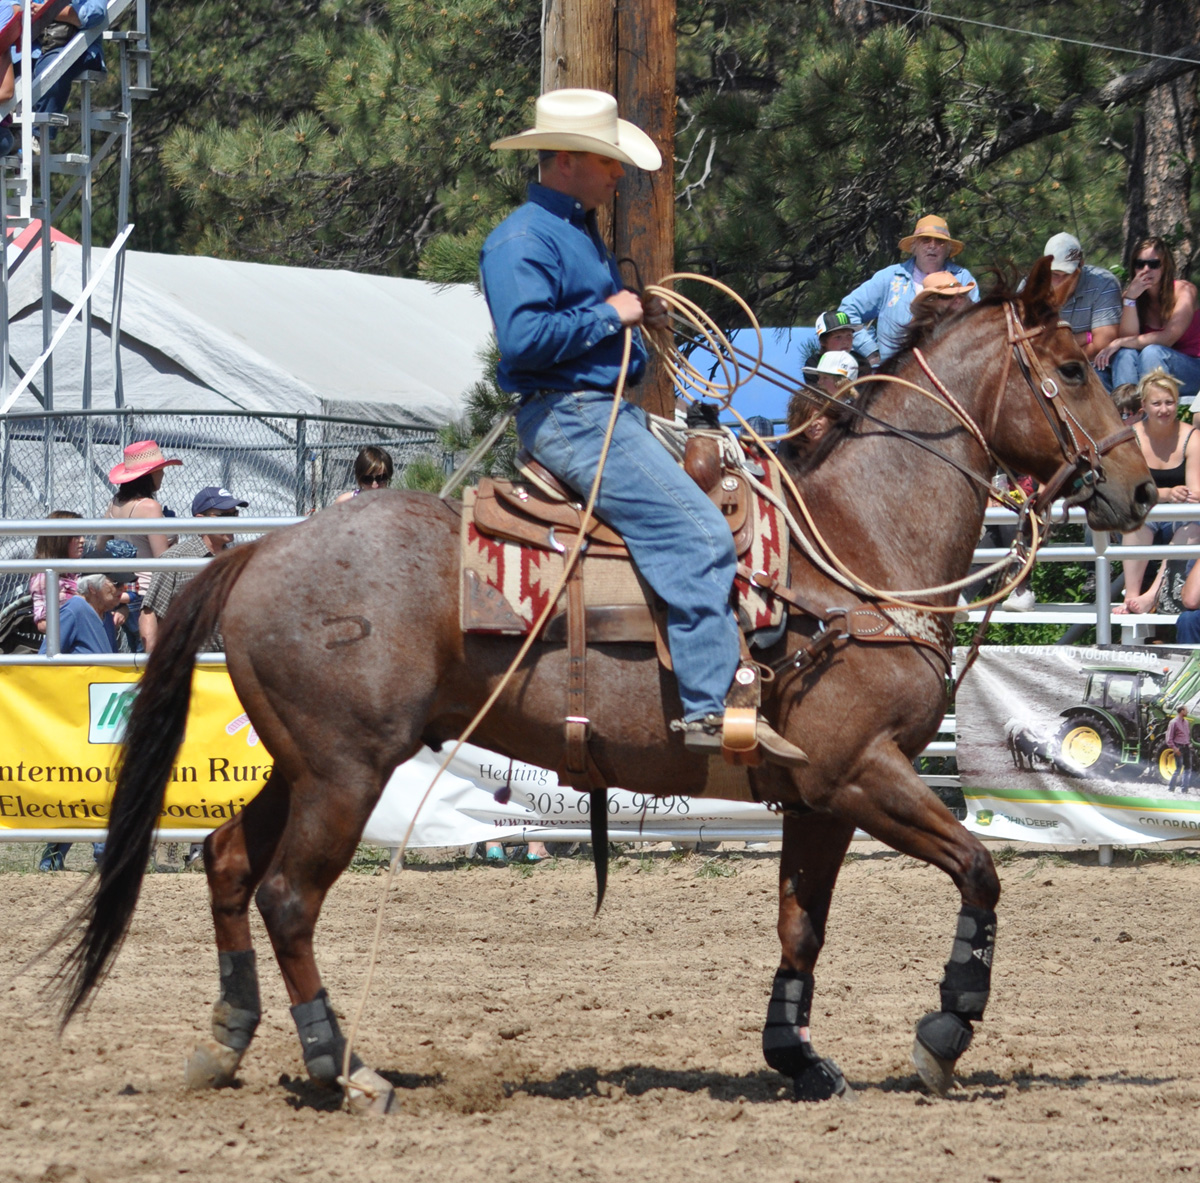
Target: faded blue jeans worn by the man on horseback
677, 537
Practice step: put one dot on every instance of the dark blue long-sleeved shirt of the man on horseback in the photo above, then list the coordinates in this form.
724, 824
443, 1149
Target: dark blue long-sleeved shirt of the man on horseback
547, 277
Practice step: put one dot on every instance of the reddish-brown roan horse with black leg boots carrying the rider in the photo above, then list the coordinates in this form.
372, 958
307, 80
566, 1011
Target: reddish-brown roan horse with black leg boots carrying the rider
345, 647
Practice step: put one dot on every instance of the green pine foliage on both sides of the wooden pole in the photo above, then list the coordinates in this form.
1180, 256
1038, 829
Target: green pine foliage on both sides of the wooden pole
355, 134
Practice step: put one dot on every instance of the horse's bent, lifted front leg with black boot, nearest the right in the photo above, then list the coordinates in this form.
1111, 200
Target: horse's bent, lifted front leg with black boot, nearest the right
893, 804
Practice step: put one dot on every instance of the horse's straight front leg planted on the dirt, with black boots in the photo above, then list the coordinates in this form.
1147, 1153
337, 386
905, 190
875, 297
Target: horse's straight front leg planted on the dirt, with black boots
814, 849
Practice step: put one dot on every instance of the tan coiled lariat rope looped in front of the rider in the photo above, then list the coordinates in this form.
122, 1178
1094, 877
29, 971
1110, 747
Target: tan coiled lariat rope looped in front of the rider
693, 386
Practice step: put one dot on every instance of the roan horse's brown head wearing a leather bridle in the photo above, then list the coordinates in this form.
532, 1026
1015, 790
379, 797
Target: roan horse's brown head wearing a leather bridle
1054, 419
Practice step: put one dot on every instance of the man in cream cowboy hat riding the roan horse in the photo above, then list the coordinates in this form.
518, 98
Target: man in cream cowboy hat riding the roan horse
560, 308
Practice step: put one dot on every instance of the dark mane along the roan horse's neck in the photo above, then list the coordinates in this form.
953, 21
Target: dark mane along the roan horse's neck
929, 326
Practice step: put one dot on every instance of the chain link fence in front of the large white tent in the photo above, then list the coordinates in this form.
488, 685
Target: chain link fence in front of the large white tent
283, 465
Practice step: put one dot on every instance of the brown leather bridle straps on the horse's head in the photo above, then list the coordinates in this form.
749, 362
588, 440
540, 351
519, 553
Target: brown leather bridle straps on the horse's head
1082, 461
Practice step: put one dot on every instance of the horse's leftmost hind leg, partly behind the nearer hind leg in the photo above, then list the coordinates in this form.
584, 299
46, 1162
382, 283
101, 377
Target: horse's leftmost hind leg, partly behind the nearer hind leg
236, 860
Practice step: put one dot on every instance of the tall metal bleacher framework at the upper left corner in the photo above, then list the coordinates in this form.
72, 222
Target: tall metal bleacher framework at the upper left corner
27, 185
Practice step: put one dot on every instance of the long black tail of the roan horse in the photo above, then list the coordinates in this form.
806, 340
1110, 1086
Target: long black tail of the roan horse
153, 736
